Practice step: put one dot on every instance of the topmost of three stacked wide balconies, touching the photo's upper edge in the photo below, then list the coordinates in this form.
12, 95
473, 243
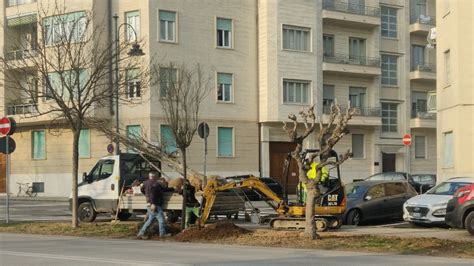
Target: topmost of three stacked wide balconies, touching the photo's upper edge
351, 15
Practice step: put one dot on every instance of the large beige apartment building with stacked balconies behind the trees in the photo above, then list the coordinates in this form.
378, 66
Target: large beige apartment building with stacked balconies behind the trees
266, 59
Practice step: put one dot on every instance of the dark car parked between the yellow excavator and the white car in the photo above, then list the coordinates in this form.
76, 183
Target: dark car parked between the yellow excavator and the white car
368, 200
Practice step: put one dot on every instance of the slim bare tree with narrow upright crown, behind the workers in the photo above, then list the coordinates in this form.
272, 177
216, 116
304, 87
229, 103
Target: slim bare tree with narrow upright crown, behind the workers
182, 90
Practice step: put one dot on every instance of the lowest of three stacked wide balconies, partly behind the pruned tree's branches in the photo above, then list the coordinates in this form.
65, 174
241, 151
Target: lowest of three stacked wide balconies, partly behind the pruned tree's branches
369, 116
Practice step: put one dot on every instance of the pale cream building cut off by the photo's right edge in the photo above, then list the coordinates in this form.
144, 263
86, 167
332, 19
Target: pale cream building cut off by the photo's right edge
455, 88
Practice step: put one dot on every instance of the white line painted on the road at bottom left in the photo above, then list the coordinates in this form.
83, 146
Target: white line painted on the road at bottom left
85, 259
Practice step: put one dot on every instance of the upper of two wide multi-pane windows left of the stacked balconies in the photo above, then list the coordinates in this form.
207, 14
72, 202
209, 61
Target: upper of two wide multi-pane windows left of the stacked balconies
296, 38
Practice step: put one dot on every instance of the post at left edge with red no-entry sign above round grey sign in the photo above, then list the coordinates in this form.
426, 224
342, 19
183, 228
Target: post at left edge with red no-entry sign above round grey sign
7, 127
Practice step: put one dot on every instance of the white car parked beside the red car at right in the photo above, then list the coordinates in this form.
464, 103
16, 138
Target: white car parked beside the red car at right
430, 208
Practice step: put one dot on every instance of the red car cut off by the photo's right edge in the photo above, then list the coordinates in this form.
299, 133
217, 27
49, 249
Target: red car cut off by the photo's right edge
460, 209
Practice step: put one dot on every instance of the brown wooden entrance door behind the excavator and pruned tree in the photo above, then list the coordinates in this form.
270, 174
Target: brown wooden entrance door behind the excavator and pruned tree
278, 153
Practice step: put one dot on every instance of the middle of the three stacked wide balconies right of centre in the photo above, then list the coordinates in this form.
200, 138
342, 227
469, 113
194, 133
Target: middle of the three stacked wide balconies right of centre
369, 66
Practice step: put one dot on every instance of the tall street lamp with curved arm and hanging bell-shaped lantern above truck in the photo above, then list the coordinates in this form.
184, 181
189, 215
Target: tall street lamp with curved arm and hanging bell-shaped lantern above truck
134, 51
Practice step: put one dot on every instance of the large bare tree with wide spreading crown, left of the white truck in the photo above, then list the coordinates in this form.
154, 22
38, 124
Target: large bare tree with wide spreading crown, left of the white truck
73, 60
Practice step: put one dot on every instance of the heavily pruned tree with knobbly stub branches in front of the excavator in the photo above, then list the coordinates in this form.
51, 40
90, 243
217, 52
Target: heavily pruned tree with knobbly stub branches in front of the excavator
328, 136
